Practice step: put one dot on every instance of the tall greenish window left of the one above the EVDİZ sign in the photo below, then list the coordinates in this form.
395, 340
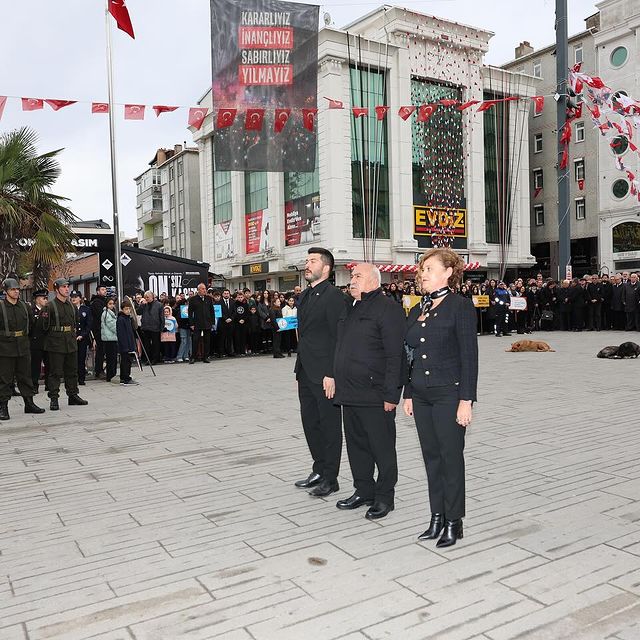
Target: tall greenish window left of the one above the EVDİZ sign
369, 157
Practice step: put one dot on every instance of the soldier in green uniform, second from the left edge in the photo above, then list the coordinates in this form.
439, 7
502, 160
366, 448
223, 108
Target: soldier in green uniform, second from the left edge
59, 321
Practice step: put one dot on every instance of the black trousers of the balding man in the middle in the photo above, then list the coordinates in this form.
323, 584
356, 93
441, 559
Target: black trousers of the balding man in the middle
370, 433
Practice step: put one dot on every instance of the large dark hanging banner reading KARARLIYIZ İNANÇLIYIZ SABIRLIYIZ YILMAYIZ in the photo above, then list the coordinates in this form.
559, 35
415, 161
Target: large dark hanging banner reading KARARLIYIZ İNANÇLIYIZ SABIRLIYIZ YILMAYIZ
264, 57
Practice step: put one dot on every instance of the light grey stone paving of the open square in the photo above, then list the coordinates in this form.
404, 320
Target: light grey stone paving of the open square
168, 511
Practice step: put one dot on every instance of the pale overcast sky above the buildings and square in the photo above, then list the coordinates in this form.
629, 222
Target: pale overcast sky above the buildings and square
56, 49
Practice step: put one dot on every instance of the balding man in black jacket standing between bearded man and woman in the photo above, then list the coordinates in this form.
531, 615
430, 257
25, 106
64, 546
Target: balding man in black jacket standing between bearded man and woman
368, 372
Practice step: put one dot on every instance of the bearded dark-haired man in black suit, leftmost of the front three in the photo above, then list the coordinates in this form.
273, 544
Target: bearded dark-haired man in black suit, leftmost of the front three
319, 308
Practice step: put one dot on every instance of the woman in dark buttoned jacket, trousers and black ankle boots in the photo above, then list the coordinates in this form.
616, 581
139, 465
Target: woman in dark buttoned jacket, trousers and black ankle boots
441, 387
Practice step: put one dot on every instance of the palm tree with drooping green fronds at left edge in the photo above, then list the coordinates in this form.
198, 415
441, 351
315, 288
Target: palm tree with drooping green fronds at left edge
29, 211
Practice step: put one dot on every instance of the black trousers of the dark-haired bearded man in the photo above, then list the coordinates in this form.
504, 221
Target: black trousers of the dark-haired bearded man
322, 424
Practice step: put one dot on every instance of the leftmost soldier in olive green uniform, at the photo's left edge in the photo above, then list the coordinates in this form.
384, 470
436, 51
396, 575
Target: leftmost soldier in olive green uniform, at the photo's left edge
15, 354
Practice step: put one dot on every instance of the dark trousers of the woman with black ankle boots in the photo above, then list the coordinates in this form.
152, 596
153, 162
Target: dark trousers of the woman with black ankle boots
442, 442
